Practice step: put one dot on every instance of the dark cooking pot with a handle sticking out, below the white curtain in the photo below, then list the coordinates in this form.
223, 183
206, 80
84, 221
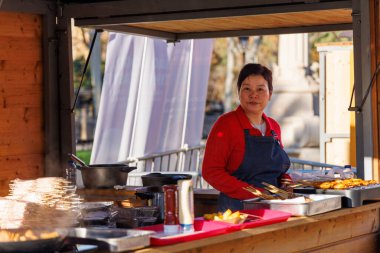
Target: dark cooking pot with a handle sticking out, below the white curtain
103, 175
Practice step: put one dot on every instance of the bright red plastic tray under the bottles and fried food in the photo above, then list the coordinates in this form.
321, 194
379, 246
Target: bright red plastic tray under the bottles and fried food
204, 229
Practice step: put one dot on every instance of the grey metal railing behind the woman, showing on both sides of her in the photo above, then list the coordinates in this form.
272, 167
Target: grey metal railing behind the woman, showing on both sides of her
189, 161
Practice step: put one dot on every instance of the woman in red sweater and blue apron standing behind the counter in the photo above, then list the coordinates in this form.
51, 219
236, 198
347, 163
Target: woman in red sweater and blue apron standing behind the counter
244, 146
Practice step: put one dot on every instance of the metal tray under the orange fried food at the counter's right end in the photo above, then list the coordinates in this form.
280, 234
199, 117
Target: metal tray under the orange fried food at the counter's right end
352, 197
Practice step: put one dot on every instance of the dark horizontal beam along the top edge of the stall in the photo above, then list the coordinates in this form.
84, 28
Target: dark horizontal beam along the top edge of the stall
130, 7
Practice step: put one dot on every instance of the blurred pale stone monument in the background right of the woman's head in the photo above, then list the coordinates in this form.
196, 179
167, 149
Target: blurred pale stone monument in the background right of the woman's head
295, 97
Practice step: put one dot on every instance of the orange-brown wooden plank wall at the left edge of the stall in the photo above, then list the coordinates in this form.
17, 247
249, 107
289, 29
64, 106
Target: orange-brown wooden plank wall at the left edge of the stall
21, 98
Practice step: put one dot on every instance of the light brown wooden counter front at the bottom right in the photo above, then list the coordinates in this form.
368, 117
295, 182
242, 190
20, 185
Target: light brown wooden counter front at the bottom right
346, 230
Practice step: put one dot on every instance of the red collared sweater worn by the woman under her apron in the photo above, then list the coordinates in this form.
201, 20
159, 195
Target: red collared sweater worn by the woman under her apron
225, 151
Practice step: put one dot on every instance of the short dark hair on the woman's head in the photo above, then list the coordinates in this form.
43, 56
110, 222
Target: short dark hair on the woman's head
256, 70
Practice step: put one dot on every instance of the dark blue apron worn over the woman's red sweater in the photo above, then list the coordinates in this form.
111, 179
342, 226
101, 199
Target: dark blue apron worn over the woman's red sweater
264, 161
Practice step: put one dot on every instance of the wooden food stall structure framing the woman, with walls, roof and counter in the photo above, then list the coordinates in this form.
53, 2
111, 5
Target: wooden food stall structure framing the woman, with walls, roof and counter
38, 131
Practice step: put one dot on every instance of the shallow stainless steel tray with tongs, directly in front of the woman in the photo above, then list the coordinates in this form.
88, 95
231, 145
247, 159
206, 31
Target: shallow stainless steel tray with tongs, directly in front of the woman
321, 204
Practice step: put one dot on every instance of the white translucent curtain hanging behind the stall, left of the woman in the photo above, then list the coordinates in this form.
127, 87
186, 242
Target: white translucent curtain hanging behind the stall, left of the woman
144, 101
